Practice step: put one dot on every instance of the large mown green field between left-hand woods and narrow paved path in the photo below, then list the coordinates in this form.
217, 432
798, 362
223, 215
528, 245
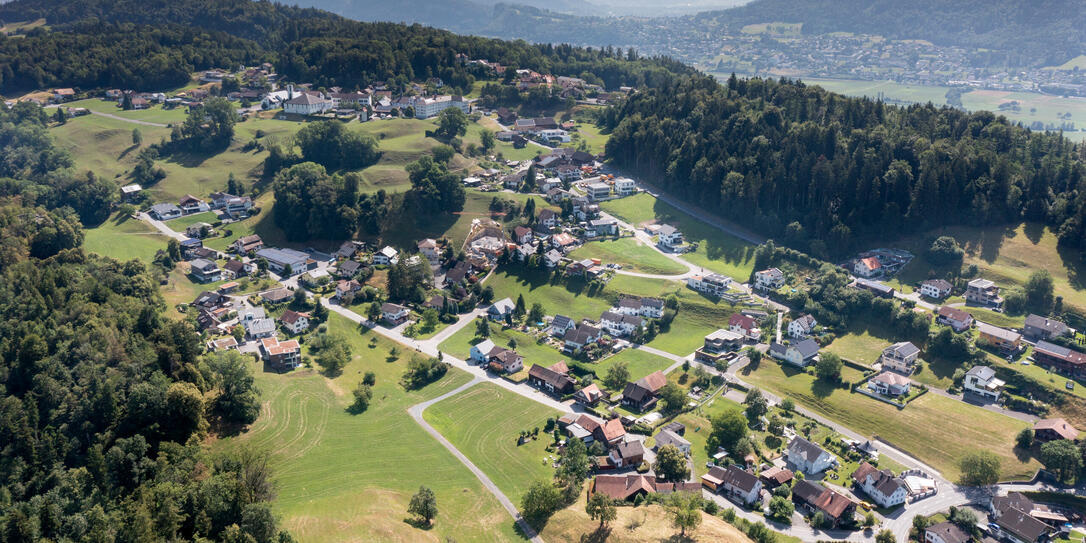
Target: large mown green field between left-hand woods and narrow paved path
342, 475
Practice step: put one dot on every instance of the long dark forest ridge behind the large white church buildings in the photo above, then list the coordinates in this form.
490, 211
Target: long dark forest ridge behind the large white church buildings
96, 44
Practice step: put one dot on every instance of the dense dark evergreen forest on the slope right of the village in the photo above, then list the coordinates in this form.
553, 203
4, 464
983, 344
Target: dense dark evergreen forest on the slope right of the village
823, 171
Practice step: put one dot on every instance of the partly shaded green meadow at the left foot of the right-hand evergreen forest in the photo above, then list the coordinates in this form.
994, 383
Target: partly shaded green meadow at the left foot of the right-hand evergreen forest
717, 251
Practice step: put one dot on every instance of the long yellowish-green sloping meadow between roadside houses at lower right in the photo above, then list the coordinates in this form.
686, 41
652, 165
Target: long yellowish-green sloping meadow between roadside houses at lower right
938, 431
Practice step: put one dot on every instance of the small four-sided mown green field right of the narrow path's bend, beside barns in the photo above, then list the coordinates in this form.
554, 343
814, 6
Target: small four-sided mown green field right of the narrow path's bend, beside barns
485, 423
